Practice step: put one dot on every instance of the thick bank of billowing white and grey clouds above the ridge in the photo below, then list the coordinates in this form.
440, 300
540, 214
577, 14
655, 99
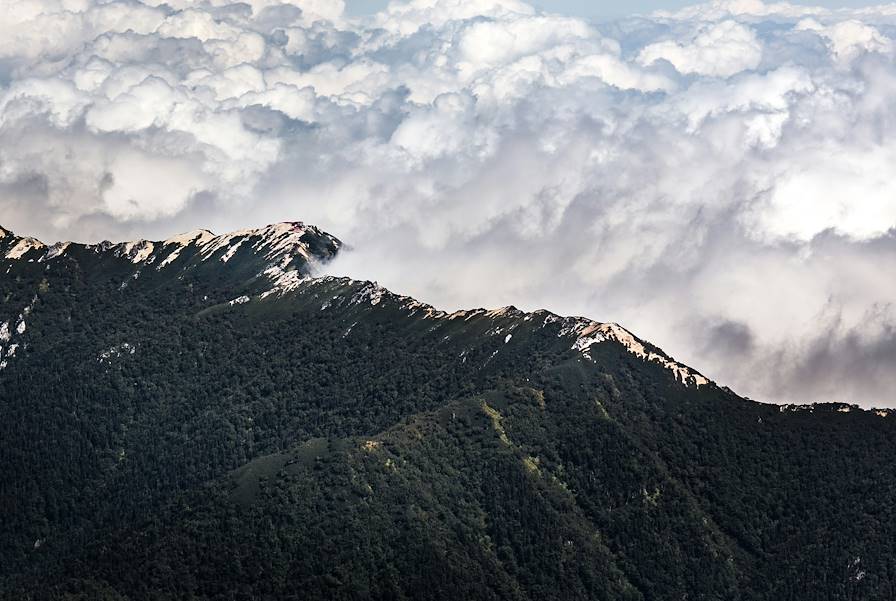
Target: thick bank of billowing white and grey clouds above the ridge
715, 177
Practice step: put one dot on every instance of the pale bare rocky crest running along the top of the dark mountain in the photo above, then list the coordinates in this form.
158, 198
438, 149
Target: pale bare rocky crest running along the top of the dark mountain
290, 262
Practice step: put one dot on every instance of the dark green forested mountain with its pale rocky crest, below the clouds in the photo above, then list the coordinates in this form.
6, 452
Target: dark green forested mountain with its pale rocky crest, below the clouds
181, 430
